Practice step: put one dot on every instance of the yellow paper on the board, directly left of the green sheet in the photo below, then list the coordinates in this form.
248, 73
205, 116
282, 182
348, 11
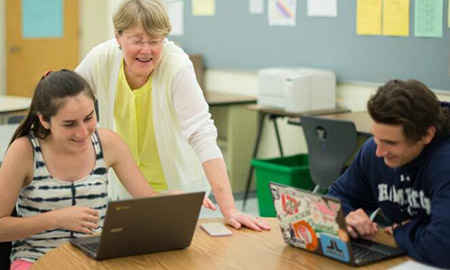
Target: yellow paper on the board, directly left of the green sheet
396, 18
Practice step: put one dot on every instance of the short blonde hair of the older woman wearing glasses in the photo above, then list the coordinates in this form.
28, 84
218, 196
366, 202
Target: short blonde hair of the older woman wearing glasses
150, 13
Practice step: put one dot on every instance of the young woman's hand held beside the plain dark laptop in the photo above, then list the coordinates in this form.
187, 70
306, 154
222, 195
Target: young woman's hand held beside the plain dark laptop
76, 218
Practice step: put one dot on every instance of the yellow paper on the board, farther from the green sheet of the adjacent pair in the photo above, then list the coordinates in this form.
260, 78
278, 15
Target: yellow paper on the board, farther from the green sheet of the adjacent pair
368, 17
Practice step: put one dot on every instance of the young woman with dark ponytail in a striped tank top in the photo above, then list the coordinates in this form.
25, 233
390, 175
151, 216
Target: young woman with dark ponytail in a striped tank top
54, 173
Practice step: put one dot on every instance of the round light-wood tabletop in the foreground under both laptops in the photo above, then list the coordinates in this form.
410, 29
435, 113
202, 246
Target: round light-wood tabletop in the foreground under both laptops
244, 250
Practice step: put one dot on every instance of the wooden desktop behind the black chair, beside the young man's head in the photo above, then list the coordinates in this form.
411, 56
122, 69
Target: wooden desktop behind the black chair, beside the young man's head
362, 120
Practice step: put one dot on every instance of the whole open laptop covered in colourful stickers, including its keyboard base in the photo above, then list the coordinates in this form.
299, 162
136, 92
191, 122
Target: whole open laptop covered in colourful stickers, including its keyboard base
316, 223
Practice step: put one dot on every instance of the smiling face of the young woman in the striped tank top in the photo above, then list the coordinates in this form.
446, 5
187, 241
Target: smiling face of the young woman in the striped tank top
72, 126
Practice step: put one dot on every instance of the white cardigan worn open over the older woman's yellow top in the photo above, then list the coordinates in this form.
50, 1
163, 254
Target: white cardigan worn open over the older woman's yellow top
184, 131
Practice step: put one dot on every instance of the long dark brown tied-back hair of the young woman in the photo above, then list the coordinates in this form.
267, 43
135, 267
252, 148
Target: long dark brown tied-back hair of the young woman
48, 98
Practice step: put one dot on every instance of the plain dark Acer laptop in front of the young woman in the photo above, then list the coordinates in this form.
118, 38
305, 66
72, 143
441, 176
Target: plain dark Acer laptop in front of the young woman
145, 225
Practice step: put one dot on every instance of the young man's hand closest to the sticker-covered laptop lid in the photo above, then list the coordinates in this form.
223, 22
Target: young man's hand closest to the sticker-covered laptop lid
360, 225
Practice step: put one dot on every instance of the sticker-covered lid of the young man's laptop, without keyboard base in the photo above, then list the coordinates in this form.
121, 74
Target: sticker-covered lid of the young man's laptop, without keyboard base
312, 222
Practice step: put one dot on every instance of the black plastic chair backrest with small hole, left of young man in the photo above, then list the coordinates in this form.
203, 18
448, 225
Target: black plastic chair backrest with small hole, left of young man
330, 144
